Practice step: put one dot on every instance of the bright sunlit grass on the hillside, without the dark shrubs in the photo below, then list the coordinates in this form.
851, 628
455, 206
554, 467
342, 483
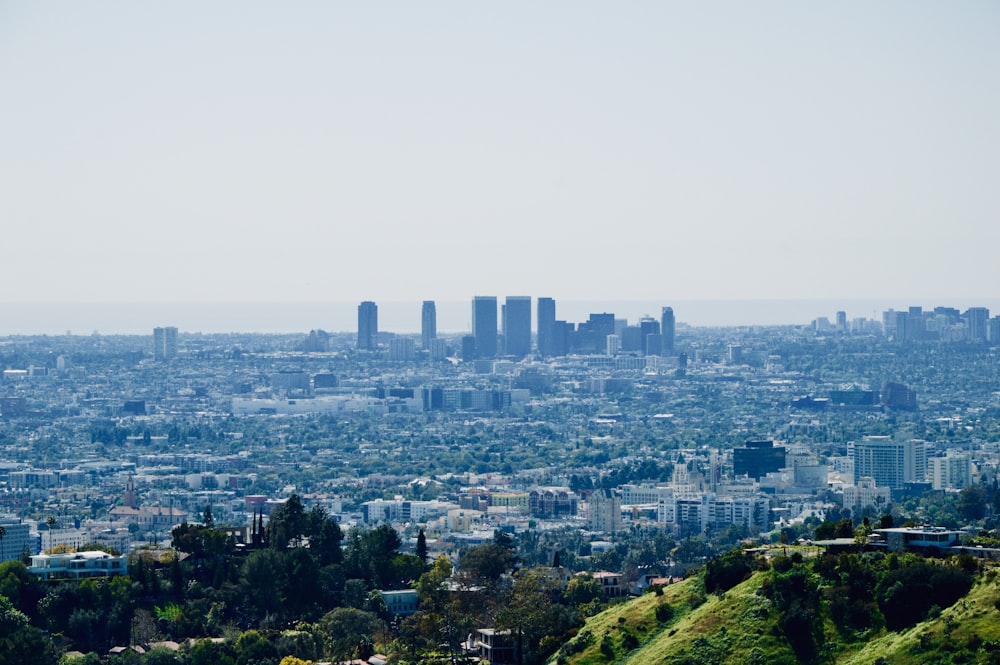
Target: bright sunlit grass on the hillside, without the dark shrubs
739, 628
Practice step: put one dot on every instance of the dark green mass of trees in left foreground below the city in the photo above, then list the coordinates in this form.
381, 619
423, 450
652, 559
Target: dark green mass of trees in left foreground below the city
303, 588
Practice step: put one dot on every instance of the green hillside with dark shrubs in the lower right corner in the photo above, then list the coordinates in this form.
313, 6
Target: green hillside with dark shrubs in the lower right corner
806, 612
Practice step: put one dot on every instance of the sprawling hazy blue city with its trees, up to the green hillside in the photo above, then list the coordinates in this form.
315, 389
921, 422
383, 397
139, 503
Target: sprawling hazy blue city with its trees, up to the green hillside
614, 456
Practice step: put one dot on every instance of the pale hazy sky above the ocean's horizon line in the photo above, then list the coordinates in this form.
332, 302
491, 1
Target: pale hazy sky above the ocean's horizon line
322, 151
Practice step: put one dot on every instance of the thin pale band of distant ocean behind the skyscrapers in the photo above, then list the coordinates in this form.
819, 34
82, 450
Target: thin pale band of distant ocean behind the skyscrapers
404, 317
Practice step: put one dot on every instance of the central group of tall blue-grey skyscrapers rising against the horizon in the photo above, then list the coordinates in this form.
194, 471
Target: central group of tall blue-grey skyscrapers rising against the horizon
510, 333
